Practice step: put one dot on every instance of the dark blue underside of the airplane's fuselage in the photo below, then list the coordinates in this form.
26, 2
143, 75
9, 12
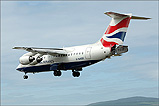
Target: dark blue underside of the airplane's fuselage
58, 66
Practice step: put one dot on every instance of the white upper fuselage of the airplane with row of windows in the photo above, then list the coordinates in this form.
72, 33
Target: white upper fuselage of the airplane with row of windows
74, 54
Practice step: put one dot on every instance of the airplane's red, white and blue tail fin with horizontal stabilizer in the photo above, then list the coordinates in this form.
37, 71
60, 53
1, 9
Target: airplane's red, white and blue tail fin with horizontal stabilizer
117, 28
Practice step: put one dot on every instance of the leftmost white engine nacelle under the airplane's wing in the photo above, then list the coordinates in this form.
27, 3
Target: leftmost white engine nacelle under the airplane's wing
24, 60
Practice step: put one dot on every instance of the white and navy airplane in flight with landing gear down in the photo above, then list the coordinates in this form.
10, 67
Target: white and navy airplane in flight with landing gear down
77, 57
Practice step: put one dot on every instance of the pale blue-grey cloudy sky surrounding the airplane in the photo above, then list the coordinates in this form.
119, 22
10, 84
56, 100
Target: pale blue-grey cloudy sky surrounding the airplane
63, 24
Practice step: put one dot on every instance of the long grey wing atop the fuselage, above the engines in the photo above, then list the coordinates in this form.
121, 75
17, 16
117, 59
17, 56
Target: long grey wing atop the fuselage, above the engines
43, 51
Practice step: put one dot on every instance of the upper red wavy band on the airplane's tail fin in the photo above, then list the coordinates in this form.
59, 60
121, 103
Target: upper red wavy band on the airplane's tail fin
121, 24
